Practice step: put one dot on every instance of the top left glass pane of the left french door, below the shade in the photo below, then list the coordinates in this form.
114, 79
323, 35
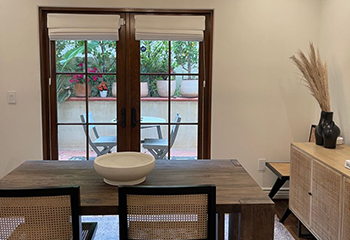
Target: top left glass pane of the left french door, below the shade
70, 56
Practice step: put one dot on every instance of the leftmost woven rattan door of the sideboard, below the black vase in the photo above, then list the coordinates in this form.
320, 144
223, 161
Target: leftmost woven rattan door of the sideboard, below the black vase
300, 185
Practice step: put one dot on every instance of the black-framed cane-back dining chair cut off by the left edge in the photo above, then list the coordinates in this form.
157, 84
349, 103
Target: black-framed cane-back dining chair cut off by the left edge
42, 214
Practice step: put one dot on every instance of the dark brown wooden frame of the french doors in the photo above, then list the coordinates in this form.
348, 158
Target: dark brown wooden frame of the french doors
204, 134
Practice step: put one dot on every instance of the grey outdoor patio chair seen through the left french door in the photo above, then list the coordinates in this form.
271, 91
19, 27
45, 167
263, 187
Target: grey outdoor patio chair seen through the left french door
104, 142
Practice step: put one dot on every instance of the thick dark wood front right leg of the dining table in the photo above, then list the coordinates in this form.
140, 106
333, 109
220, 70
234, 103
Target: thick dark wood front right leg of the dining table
257, 222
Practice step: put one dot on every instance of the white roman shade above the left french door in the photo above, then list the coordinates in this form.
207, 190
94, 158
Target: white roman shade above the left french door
83, 27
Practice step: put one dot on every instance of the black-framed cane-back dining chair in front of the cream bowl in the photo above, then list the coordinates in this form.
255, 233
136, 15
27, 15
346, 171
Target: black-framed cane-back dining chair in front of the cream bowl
167, 212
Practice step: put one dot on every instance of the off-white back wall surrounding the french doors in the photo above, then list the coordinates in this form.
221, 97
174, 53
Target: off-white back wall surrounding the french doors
259, 106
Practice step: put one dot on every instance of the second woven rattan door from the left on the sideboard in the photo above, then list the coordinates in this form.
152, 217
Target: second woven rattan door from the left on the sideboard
325, 213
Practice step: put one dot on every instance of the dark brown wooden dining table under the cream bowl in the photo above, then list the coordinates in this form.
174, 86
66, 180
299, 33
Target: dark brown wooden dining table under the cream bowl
250, 211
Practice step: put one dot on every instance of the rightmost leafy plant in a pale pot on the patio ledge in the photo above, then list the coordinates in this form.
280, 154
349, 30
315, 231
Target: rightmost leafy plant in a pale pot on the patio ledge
186, 56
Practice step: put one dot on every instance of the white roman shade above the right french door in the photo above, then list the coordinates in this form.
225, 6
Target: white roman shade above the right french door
172, 28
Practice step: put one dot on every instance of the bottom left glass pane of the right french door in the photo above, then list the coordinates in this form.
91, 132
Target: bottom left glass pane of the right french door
151, 133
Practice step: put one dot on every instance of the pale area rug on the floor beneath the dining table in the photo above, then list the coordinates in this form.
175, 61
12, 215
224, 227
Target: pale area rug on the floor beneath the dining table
108, 228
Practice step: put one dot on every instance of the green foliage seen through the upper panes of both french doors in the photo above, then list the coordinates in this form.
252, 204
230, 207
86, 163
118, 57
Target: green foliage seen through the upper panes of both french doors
154, 59
